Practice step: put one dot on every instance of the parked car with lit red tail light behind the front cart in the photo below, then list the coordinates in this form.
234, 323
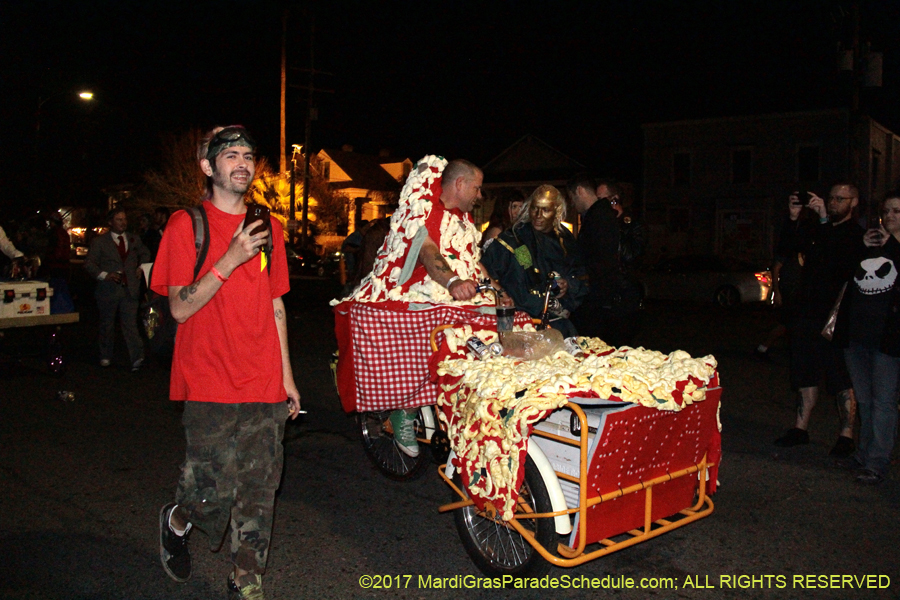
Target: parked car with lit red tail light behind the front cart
706, 278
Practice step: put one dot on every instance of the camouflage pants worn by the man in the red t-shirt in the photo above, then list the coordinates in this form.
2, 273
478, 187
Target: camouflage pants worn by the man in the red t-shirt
232, 468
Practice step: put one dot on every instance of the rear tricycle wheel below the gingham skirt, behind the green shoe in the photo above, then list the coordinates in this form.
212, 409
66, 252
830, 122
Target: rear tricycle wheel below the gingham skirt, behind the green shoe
378, 442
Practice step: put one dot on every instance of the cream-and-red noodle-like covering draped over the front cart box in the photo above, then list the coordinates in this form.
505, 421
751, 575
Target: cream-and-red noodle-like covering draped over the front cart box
493, 404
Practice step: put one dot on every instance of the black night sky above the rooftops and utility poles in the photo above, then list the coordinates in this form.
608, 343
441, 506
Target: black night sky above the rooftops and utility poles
457, 78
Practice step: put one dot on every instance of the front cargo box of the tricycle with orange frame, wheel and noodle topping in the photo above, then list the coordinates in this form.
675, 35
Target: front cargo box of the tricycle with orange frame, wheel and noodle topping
568, 458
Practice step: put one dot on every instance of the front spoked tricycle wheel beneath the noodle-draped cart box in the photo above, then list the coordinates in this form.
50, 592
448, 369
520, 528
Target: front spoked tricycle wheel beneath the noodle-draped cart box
495, 547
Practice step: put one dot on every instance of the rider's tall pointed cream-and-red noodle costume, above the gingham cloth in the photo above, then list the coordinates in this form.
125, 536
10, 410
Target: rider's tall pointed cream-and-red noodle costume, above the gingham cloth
458, 245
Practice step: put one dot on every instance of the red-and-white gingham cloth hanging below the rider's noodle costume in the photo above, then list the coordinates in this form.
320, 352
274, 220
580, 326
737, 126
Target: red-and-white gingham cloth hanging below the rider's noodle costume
391, 350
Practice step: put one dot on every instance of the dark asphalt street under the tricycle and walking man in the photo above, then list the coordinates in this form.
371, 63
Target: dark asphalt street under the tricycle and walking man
83, 482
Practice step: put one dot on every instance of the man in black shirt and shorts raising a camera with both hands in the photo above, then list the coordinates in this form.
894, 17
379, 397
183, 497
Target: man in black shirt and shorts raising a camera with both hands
830, 254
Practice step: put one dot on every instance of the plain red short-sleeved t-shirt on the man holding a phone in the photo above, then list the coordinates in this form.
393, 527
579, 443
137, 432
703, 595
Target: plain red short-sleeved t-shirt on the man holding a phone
229, 350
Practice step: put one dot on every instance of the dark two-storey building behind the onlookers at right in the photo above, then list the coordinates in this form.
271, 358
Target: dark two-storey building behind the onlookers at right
721, 185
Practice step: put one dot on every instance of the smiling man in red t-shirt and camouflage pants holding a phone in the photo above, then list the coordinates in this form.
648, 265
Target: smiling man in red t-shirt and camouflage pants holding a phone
231, 364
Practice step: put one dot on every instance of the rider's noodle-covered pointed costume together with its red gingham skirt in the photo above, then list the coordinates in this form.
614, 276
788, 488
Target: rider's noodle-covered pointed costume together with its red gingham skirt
383, 328
